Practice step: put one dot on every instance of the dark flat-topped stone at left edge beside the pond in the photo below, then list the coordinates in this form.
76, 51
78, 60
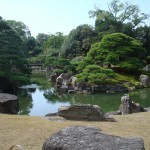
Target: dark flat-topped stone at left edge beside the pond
9, 104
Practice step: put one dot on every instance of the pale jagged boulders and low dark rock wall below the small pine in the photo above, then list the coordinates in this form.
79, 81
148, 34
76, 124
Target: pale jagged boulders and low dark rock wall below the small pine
66, 82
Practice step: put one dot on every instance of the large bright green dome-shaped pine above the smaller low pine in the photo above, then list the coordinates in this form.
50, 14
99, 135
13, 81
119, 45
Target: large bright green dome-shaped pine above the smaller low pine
117, 49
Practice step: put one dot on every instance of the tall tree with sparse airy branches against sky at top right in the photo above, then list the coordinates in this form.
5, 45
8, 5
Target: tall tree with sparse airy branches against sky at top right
118, 15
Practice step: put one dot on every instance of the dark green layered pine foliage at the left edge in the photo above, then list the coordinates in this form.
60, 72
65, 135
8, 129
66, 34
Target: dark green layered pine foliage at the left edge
12, 61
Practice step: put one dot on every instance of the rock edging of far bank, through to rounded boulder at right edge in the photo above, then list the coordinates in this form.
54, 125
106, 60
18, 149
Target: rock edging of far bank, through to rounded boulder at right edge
70, 83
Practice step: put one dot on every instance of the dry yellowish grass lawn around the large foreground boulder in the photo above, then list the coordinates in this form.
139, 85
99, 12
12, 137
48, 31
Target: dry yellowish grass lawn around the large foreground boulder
31, 132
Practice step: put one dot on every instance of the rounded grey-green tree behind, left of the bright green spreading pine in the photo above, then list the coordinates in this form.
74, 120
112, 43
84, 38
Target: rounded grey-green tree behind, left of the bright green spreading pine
78, 41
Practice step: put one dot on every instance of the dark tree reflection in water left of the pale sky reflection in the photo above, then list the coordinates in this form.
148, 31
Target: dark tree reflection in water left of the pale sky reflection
25, 100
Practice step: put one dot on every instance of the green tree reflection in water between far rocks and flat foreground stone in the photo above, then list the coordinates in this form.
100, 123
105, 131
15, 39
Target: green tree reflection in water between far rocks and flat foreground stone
106, 101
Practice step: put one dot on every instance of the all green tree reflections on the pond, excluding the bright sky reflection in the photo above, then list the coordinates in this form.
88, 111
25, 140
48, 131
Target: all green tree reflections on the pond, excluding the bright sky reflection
109, 102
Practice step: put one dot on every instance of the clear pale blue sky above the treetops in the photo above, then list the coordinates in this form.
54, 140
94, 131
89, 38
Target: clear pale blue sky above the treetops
51, 16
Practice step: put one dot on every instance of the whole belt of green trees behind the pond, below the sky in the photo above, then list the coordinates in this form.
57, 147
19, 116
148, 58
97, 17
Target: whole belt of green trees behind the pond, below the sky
119, 39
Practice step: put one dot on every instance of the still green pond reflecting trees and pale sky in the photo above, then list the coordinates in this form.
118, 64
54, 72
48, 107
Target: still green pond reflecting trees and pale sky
38, 100
